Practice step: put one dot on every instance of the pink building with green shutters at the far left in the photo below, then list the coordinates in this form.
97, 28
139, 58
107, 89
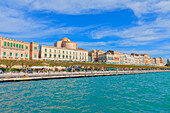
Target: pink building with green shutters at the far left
19, 50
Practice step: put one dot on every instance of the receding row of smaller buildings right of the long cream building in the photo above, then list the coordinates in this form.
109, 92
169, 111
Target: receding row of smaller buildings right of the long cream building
115, 57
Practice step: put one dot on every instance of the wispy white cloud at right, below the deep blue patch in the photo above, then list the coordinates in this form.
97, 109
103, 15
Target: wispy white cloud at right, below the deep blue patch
153, 31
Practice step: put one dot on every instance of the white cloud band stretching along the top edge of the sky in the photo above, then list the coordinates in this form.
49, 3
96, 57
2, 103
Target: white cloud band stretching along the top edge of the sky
139, 7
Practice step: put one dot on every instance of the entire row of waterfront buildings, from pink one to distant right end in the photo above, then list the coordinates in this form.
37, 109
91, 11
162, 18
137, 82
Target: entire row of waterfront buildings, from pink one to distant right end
66, 50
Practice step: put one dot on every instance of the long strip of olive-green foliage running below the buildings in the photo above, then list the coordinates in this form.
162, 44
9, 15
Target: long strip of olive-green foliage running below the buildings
28, 63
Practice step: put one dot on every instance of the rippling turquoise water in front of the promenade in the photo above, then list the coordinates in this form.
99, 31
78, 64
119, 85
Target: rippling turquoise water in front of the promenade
126, 93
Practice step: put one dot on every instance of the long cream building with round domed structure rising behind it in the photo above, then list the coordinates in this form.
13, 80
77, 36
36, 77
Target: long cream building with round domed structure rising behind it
65, 52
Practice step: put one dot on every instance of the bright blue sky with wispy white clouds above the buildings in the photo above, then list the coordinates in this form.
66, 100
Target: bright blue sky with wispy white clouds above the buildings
128, 26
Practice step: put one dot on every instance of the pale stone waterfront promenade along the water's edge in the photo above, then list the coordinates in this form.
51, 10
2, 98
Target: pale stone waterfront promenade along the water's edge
12, 77
